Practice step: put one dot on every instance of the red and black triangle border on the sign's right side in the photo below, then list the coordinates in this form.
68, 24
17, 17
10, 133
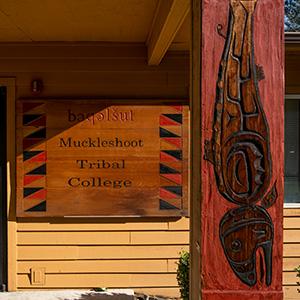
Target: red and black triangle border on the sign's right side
170, 132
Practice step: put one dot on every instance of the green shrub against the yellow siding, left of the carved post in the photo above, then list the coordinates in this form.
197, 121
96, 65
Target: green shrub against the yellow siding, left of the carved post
183, 274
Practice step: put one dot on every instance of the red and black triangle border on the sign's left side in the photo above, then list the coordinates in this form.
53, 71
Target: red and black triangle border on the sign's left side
34, 157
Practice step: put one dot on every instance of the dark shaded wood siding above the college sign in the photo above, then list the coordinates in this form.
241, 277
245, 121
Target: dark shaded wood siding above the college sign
94, 71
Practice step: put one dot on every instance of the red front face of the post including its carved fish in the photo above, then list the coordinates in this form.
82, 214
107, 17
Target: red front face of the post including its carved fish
242, 92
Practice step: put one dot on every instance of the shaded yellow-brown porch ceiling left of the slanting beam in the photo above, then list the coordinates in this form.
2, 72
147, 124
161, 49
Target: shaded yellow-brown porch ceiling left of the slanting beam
76, 20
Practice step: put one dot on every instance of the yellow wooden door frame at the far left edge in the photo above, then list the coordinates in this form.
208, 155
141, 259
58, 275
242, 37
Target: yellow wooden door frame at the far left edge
10, 84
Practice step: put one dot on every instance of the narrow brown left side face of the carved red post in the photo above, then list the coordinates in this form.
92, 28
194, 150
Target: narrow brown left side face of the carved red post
196, 153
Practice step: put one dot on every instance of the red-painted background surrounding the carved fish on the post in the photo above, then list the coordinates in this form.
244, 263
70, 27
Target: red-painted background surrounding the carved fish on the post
218, 279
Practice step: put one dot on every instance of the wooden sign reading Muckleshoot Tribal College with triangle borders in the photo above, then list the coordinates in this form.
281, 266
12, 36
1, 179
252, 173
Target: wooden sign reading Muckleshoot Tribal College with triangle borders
90, 158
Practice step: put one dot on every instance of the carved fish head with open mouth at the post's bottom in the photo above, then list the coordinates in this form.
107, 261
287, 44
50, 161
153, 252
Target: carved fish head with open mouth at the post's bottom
242, 232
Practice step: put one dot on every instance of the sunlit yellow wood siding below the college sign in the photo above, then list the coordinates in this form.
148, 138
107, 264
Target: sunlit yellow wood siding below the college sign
139, 255
